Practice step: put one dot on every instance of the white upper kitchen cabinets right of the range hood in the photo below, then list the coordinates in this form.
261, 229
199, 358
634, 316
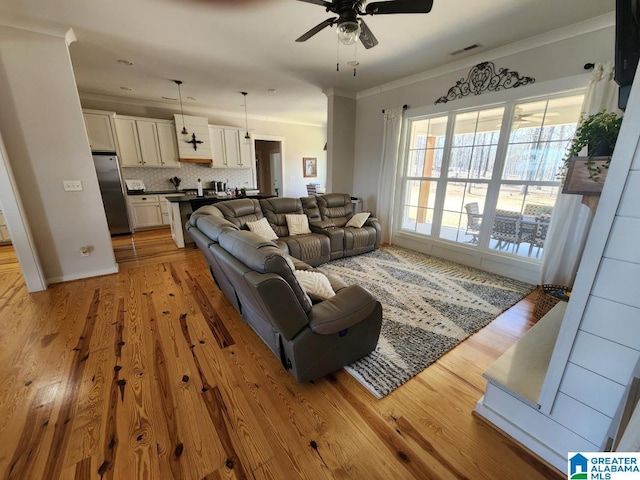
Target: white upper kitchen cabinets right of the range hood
229, 148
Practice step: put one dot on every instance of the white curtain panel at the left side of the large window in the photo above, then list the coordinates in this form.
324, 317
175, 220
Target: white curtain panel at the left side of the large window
388, 170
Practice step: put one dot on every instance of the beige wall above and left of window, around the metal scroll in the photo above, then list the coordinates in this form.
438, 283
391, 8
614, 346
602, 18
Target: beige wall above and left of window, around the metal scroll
546, 63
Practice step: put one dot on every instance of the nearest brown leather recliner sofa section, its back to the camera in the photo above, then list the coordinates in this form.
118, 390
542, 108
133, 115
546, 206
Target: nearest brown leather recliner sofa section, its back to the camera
310, 339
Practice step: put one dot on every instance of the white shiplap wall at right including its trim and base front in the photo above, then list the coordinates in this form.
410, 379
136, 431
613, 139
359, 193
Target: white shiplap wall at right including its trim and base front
598, 345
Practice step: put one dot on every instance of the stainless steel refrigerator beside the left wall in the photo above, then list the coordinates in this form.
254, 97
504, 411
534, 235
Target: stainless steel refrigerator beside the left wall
111, 188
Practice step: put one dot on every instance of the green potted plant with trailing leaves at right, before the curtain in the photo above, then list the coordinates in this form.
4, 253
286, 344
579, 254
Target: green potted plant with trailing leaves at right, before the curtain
597, 133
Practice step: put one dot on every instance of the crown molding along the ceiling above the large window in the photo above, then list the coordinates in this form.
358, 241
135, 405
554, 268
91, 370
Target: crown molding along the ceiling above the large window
560, 34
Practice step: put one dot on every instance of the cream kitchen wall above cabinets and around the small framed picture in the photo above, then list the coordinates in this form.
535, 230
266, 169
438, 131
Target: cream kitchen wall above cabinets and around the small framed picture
299, 140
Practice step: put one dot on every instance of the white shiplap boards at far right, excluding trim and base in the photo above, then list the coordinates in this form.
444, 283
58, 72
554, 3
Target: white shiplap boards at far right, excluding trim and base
607, 345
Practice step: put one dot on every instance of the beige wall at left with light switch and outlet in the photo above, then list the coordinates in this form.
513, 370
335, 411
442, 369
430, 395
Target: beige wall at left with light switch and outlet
43, 129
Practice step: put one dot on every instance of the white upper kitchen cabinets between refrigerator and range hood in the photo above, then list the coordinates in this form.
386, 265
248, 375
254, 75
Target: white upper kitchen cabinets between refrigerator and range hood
146, 142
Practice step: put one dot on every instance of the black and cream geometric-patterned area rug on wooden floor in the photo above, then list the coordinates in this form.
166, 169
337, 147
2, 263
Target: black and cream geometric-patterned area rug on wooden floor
429, 306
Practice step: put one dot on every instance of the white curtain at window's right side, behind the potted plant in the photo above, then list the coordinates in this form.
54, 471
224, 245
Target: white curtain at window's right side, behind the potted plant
571, 219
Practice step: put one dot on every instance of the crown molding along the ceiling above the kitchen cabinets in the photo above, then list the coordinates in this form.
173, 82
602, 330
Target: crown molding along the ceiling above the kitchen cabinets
172, 108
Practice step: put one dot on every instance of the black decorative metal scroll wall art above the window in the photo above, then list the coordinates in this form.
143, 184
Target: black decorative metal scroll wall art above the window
483, 77
